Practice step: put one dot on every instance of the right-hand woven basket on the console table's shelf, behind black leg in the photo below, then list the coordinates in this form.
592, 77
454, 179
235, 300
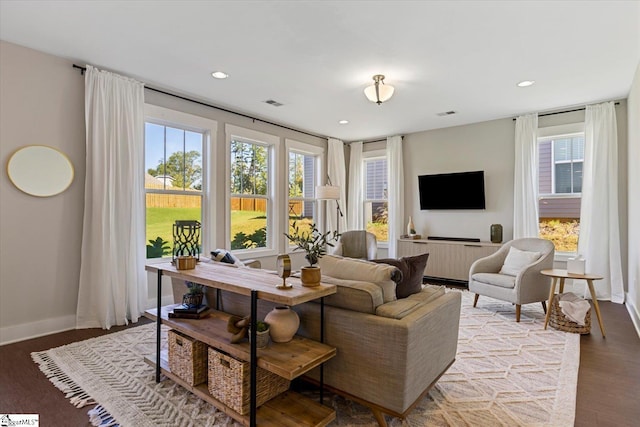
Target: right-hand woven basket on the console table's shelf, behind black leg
229, 382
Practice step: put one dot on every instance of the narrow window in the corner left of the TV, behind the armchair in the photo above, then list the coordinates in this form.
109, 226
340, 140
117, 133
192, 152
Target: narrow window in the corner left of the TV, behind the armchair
375, 197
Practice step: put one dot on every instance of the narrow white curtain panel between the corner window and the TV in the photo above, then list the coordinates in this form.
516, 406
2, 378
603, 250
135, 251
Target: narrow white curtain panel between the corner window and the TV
395, 193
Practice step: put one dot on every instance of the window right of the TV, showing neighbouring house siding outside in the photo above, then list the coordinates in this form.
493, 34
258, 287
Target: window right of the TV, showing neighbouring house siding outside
561, 158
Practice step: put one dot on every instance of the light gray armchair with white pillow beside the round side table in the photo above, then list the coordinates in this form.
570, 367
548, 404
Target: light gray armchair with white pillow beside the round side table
525, 286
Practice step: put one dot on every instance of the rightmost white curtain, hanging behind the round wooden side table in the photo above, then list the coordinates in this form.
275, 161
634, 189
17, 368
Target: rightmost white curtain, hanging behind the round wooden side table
599, 240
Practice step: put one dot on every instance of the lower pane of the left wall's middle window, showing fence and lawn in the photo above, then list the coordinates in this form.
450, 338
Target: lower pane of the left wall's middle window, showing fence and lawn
248, 223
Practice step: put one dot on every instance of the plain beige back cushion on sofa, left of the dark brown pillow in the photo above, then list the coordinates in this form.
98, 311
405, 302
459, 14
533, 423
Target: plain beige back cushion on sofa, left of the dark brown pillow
361, 270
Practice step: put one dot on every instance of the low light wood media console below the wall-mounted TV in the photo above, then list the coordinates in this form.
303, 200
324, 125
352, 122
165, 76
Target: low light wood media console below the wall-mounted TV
448, 260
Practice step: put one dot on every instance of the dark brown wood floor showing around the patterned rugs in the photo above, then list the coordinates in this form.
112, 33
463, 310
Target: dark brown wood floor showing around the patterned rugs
608, 379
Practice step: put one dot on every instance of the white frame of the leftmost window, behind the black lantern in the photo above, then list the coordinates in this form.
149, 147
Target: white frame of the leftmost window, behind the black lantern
209, 128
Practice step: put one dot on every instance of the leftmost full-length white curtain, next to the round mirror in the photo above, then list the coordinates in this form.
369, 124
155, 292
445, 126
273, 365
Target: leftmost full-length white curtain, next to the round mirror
113, 288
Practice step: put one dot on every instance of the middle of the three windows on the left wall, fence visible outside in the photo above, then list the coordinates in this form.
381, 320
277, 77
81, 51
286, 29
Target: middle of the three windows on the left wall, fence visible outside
251, 190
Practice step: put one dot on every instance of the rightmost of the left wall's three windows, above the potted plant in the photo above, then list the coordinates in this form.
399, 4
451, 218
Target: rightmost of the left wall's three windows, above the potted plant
303, 176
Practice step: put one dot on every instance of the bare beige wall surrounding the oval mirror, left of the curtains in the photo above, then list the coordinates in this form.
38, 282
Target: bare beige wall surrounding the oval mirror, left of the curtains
42, 102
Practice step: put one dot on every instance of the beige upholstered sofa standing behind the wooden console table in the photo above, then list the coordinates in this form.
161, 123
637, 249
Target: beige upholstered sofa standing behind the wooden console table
390, 351
